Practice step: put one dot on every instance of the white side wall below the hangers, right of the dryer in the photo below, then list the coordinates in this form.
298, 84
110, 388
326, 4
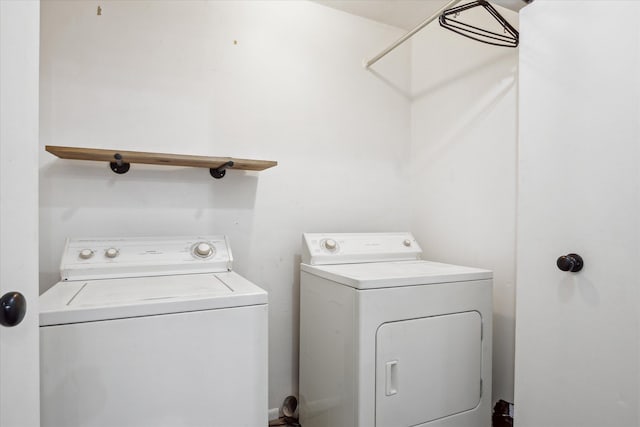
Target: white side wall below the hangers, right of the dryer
463, 163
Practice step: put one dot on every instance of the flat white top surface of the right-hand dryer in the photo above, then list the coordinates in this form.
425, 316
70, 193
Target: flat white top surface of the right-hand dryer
397, 273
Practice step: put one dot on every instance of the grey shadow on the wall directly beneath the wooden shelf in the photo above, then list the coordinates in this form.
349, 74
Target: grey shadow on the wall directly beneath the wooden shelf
78, 184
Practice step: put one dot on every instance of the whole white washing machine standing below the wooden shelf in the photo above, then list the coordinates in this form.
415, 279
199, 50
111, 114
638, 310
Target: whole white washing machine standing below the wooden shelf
153, 332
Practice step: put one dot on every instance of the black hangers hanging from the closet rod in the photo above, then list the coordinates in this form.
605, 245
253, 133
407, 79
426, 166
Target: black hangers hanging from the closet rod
509, 38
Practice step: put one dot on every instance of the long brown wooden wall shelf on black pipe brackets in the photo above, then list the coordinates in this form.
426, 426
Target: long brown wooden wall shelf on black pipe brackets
118, 158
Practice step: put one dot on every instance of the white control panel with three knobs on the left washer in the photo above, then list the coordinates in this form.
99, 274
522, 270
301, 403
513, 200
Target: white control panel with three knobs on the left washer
110, 258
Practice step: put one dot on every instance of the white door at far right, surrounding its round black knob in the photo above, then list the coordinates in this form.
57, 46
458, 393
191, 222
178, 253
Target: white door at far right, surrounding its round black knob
577, 346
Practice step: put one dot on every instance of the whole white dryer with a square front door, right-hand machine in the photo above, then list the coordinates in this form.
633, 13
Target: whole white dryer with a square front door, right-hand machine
389, 340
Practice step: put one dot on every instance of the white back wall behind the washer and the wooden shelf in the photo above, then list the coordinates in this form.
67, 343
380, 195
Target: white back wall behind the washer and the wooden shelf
168, 77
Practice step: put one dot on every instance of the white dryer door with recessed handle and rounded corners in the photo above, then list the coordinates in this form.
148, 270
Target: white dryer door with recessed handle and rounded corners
428, 368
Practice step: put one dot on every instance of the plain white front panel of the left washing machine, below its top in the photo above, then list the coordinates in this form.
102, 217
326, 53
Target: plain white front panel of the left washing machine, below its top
183, 369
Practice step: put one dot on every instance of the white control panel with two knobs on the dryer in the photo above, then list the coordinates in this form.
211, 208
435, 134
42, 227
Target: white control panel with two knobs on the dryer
347, 248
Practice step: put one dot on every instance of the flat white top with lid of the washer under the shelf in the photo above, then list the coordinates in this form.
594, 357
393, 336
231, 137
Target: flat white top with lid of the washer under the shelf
95, 300
